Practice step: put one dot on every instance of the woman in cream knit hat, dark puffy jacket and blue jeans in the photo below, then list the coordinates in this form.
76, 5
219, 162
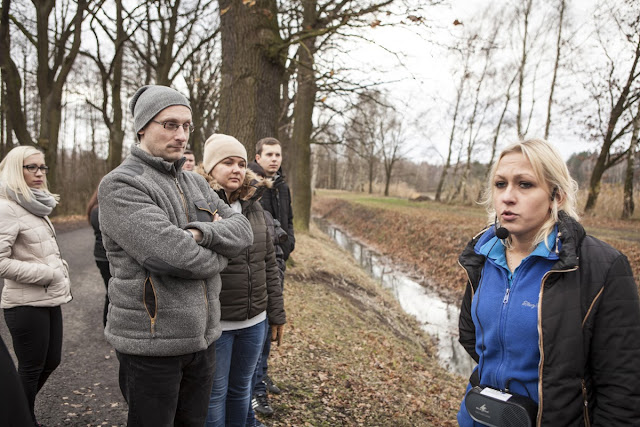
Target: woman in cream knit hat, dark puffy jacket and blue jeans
246, 299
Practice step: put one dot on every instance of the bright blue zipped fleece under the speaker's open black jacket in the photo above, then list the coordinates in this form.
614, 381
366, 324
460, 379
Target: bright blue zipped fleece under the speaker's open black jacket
505, 312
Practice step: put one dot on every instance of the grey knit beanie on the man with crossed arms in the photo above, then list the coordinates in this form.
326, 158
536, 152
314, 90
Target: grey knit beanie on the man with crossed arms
149, 100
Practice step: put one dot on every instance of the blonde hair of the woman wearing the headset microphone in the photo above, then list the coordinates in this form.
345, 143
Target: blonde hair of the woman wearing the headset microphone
550, 169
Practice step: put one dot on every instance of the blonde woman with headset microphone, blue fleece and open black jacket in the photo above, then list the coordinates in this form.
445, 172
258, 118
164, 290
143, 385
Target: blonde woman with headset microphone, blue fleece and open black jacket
550, 313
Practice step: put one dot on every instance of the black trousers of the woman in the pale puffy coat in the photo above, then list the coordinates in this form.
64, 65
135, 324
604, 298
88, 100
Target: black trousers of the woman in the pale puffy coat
36, 333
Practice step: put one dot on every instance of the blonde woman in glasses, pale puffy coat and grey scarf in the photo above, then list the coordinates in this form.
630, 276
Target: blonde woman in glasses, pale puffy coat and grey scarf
36, 278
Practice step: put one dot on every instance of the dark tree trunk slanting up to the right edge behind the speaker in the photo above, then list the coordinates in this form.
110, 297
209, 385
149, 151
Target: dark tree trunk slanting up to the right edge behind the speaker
603, 163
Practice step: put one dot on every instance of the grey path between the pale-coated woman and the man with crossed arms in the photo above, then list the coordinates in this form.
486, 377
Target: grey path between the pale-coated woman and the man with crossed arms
84, 390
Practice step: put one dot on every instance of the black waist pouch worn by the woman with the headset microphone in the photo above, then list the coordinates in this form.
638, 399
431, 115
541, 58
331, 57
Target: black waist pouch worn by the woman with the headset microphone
495, 408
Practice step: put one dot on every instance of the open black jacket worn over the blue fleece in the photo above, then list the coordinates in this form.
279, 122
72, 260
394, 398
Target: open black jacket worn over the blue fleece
589, 332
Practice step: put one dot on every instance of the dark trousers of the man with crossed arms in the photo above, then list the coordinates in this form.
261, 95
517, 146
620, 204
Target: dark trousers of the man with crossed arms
167, 390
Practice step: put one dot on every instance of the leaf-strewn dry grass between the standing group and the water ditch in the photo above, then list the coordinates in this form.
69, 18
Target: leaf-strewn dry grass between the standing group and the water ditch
350, 355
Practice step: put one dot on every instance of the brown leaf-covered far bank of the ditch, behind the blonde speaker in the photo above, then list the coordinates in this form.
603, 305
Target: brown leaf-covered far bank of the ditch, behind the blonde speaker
429, 236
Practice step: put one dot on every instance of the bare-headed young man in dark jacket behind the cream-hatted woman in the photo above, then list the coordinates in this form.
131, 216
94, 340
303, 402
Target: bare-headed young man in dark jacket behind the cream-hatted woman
277, 201
